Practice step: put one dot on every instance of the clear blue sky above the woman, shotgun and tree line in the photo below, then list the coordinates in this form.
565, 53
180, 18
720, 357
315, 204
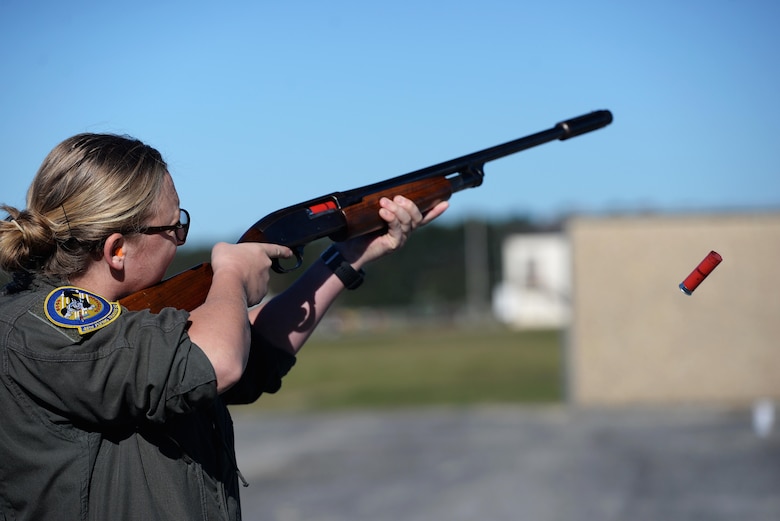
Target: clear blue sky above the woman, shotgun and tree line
258, 105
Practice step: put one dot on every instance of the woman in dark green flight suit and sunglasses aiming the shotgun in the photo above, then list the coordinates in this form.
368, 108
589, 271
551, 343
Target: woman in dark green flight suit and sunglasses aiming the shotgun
113, 414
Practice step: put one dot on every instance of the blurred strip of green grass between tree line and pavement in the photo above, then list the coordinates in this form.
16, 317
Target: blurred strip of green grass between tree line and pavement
422, 367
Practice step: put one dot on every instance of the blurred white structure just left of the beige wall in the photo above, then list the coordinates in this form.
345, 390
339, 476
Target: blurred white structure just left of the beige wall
536, 285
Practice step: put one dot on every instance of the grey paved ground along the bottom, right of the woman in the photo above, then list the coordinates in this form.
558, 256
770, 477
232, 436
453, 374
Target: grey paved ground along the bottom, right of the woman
509, 464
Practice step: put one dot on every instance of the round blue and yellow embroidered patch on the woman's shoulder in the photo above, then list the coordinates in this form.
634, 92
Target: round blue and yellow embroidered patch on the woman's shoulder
73, 307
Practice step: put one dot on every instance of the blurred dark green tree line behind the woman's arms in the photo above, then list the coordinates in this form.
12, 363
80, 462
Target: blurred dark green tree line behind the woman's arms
429, 271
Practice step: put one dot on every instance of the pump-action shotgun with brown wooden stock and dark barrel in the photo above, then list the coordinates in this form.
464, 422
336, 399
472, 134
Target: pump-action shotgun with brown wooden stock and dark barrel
343, 215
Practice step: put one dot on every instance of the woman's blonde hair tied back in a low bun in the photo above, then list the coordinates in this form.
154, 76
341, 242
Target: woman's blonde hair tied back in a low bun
88, 187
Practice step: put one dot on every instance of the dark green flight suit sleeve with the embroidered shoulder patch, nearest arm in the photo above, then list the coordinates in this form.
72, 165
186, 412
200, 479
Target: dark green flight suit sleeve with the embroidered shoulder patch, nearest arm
141, 367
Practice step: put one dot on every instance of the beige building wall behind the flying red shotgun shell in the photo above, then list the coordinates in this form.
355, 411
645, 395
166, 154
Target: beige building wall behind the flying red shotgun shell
636, 338
